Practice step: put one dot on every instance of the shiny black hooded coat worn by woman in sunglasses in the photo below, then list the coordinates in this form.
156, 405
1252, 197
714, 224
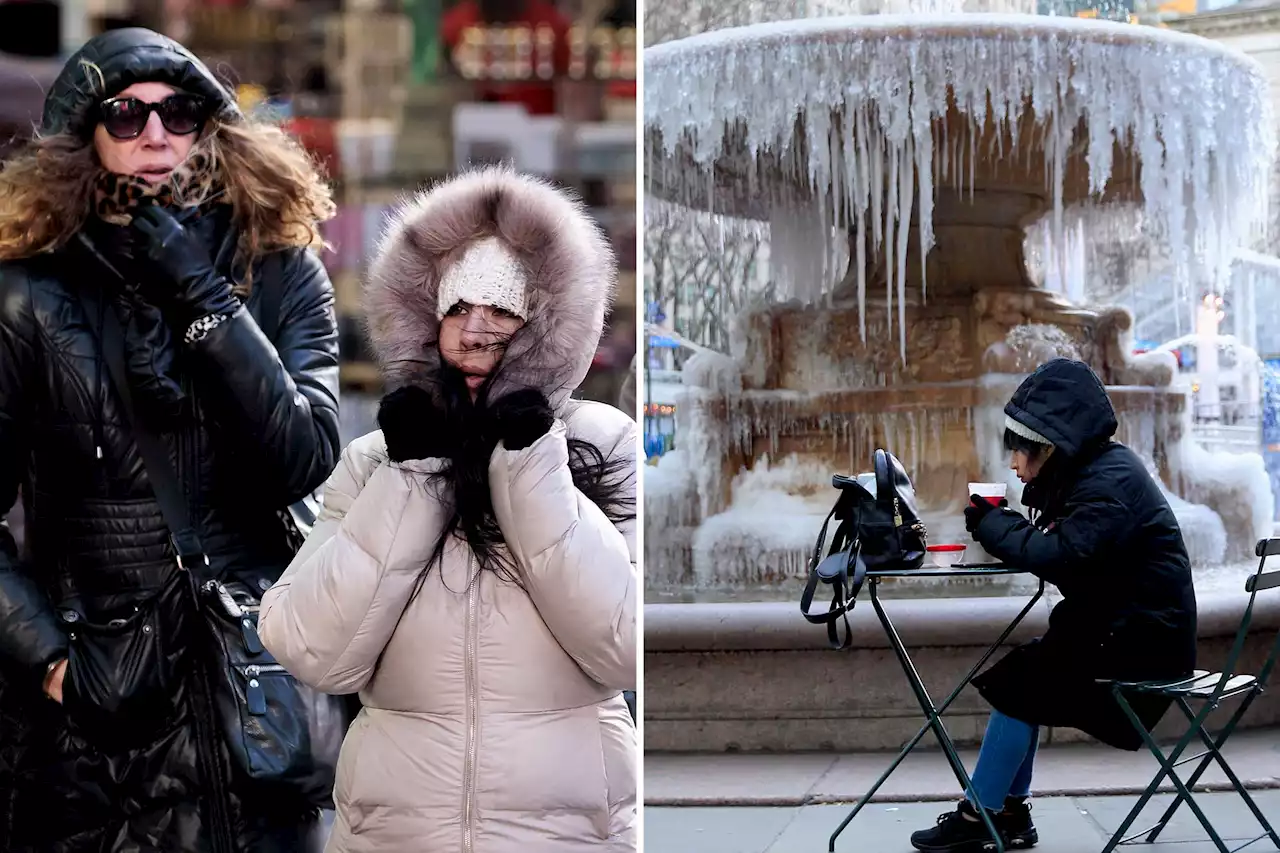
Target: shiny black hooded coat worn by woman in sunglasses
253, 428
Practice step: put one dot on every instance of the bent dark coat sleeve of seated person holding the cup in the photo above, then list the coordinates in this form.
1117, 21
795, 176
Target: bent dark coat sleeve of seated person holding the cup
1095, 521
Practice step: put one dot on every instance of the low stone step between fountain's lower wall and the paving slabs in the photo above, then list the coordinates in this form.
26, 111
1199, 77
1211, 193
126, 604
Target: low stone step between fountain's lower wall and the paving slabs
808, 779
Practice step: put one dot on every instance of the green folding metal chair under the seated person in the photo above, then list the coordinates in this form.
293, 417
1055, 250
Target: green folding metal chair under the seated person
1208, 691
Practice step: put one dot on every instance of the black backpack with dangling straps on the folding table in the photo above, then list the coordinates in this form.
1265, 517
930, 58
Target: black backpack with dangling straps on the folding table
880, 532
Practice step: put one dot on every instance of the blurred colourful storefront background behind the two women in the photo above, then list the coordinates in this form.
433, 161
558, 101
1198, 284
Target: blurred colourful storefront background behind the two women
392, 97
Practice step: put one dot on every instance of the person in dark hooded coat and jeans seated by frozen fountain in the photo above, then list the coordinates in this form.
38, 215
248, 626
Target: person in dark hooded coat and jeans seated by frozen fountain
1101, 532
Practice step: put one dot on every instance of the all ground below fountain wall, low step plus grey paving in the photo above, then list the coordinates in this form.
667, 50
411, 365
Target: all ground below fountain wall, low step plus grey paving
792, 804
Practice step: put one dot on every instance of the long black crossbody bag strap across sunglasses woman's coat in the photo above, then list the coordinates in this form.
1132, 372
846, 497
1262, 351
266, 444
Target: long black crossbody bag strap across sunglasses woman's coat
156, 454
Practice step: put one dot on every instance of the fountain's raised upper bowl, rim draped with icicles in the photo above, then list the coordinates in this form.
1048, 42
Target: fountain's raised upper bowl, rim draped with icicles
734, 117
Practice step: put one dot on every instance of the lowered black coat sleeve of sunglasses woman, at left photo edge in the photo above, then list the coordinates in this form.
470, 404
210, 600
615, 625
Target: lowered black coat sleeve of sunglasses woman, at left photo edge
30, 635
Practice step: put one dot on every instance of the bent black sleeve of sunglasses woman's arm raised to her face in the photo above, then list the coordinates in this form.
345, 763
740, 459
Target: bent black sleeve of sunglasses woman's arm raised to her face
280, 400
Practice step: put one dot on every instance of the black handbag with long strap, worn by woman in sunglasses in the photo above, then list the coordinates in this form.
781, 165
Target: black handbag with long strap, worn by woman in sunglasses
281, 735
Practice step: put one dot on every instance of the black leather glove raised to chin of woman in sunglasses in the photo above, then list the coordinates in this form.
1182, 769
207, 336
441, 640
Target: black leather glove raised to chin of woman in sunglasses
191, 288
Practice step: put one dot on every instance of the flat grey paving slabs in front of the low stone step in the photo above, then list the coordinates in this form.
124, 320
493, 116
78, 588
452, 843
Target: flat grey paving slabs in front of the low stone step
1067, 825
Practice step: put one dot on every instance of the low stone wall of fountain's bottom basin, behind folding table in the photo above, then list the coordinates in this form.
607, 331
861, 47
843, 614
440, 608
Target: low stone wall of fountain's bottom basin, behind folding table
758, 678
